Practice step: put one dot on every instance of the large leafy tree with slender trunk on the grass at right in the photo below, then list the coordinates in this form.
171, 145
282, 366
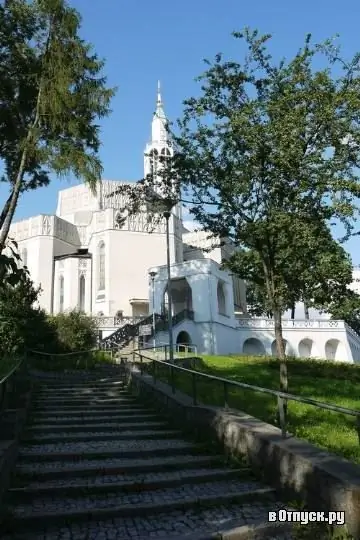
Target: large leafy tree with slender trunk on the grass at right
266, 152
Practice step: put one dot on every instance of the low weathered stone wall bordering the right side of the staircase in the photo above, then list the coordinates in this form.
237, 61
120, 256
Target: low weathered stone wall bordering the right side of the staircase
297, 469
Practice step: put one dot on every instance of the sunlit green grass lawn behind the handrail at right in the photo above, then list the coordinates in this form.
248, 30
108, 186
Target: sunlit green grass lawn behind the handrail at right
328, 382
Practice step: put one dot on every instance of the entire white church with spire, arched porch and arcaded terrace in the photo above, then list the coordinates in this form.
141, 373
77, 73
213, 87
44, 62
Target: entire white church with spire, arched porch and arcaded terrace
84, 257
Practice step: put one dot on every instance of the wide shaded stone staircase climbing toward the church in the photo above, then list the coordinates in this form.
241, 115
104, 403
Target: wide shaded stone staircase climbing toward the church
95, 464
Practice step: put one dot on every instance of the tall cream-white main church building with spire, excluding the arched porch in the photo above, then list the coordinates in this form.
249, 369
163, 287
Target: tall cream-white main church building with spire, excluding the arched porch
83, 258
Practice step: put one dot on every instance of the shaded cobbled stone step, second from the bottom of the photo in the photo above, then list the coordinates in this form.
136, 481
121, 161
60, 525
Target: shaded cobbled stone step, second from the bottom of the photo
64, 509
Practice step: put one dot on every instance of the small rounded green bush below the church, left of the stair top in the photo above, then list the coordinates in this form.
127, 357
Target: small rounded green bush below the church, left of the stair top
75, 331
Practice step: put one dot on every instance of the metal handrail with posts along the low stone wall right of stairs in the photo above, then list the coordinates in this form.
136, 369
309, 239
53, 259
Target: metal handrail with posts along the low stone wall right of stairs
282, 397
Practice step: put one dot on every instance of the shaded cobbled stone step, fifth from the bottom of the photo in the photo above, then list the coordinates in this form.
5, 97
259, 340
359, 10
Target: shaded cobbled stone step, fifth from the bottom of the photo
99, 449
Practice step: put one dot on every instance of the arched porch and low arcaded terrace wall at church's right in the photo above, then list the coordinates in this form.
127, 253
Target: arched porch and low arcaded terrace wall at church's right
215, 329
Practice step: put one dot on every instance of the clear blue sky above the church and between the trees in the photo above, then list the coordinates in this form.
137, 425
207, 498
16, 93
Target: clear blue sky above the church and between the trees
145, 41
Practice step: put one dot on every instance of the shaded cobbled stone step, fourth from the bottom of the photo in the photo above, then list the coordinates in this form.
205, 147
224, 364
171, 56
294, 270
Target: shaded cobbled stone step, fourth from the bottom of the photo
84, 467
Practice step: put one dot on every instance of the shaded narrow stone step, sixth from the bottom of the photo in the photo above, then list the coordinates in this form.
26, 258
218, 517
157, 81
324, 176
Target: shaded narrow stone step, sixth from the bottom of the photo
100, 436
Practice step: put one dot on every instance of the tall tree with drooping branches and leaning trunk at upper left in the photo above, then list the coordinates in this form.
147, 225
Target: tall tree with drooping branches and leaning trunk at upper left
51, 95
